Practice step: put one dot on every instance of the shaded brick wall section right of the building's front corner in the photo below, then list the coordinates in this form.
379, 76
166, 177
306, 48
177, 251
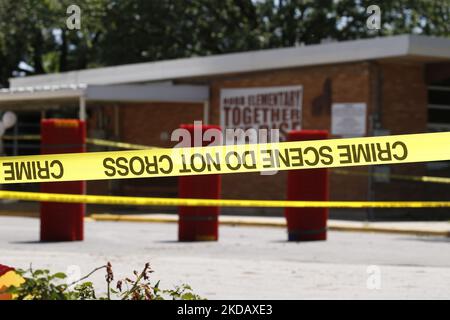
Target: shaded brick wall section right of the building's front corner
404, 110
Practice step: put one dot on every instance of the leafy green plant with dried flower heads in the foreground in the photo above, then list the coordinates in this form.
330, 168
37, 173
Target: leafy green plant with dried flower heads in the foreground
43, 285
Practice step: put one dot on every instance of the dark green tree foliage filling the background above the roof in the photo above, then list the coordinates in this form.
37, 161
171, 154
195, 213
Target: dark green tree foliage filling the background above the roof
34, 38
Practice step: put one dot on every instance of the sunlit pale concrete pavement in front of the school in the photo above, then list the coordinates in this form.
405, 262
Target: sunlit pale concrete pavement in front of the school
247, 262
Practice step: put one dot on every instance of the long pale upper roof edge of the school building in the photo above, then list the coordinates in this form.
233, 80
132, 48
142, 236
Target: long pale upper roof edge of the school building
413, 46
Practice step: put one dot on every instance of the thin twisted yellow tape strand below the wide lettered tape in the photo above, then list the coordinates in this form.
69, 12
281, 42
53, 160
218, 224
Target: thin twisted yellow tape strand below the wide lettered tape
143, 201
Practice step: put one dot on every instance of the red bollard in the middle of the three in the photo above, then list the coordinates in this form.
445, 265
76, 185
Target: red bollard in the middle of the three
199, 223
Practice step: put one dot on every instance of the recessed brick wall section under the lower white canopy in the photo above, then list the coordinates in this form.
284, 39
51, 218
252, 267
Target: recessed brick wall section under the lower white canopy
147, 124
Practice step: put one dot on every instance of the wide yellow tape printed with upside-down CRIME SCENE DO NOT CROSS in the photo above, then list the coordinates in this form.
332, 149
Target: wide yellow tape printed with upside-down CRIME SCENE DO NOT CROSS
226, 159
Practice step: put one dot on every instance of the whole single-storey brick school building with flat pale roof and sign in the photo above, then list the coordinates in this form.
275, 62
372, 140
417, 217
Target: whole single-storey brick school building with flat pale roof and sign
379, 86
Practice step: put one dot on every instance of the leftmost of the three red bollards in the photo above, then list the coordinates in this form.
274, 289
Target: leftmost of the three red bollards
62, 221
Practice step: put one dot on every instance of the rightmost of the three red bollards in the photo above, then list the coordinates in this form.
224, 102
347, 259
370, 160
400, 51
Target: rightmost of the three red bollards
305, 224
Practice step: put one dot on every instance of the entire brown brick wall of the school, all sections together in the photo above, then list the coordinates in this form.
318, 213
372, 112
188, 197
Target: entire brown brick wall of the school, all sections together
398, 88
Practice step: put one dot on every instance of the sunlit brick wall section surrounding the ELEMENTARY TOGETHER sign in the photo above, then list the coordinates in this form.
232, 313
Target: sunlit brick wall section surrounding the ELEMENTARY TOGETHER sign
350, 83
